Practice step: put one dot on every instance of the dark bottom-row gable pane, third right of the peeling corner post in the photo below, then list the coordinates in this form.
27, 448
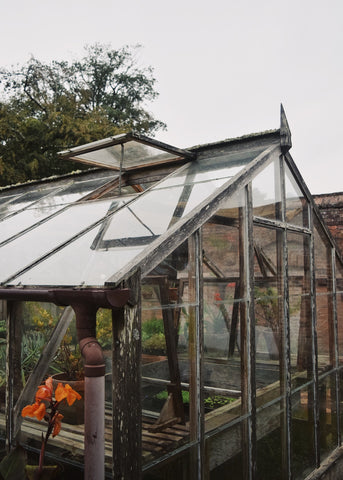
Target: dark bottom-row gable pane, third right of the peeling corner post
271, 452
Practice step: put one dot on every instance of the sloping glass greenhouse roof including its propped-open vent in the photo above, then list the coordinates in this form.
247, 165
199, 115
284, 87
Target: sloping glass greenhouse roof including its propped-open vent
92, 229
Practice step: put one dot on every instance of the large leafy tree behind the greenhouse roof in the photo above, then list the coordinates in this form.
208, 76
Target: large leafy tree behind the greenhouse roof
46, 108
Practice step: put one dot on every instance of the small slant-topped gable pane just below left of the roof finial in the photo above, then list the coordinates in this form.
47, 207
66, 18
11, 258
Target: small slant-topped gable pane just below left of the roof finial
266, 192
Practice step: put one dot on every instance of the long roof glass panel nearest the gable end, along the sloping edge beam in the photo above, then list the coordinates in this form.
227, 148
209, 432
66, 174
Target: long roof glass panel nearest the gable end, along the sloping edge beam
91, 258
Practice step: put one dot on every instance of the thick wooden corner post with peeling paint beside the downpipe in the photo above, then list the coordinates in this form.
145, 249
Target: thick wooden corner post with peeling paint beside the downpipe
126, 389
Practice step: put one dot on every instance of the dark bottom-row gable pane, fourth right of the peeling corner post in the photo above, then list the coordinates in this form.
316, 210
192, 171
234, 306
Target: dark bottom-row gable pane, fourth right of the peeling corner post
302, 433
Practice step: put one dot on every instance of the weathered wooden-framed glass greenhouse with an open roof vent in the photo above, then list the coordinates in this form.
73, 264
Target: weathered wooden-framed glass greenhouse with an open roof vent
194, 296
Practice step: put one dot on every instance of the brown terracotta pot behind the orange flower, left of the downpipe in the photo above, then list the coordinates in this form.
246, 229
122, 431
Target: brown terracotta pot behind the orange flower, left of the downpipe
73, 414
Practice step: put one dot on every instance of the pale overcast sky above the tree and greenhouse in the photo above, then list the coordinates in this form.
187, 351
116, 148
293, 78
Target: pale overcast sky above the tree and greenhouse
222, 67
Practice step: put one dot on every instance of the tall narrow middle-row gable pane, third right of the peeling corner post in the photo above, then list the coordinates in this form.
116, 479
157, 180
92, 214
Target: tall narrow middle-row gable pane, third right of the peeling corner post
269, 332
